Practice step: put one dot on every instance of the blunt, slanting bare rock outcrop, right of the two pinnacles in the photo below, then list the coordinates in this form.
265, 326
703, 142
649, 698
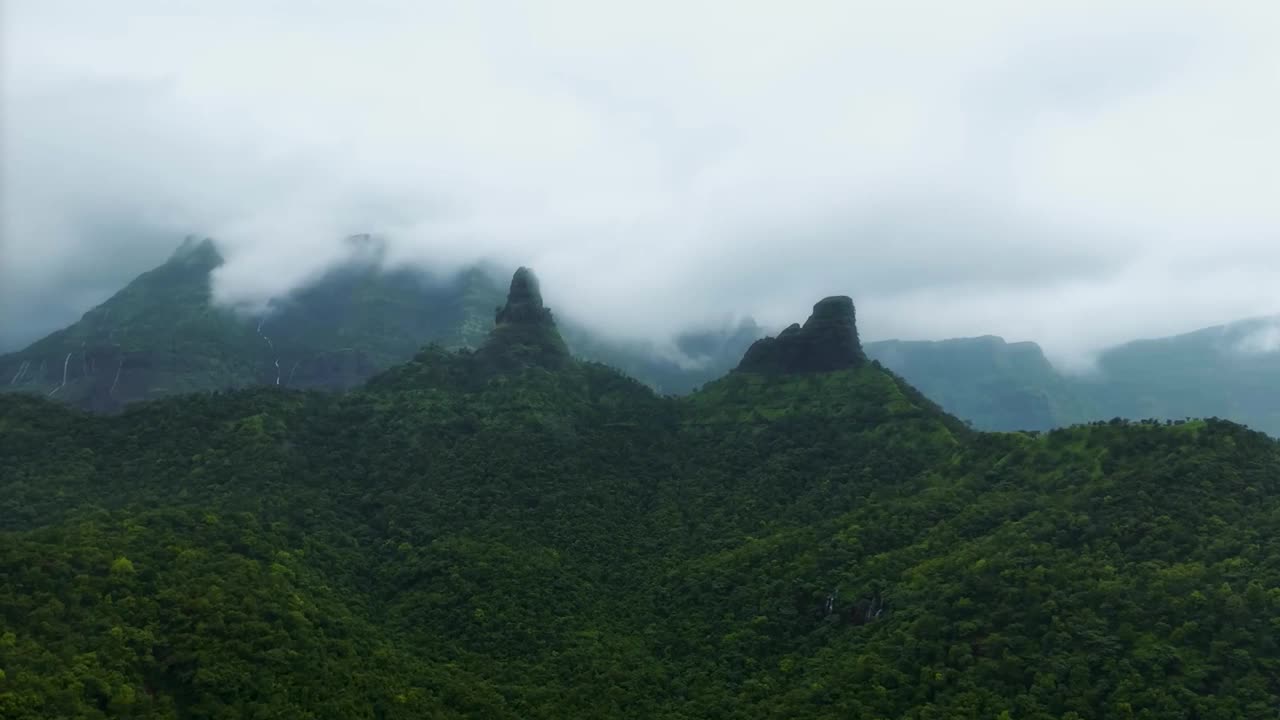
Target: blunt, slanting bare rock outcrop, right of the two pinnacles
828, 341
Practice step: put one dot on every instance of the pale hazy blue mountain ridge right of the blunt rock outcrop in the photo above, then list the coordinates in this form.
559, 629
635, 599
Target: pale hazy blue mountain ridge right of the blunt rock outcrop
1228, 372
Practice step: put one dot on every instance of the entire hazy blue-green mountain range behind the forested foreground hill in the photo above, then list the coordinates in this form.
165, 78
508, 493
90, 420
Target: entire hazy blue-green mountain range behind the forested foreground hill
163, 335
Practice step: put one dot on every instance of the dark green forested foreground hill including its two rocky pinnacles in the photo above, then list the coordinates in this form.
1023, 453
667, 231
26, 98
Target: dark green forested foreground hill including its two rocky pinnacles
509, 532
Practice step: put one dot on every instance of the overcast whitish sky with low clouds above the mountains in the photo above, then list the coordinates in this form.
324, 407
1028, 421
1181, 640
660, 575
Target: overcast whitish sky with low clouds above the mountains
1076, 174
